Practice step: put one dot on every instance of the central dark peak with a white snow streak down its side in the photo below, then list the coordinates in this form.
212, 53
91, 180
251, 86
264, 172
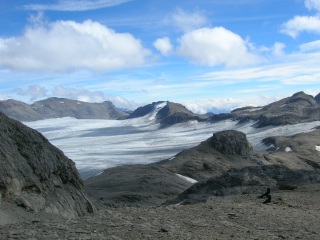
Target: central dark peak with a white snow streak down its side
167, 113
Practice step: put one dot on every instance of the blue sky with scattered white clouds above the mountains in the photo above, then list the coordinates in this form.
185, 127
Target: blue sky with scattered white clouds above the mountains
209, 55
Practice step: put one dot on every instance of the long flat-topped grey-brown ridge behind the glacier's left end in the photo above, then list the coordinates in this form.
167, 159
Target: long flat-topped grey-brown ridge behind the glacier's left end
60, 107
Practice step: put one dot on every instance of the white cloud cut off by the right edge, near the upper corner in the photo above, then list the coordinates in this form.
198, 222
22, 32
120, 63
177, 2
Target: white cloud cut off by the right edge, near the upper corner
298, 24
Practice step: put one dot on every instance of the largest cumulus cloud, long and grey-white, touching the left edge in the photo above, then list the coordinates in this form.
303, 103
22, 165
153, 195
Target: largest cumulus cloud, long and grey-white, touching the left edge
68, 45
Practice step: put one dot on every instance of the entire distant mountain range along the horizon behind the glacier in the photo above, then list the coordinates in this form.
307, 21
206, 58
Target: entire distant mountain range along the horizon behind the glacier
298, 108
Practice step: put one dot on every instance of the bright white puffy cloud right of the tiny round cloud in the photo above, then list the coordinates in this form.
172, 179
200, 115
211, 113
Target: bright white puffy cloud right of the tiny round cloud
216, 46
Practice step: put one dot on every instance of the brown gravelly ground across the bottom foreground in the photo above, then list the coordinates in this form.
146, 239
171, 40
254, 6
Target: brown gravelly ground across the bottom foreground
290, 215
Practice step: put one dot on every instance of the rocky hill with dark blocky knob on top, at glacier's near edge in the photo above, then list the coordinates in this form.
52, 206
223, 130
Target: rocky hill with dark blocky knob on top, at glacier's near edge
221, 152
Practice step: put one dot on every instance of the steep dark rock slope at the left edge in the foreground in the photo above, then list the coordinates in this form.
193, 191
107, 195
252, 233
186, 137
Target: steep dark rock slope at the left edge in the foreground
36, 175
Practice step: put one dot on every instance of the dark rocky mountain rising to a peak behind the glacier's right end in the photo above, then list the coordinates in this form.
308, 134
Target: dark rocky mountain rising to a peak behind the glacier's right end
298, 108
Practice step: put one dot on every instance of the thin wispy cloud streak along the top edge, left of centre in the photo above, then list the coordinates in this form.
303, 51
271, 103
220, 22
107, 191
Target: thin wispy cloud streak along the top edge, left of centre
75, 5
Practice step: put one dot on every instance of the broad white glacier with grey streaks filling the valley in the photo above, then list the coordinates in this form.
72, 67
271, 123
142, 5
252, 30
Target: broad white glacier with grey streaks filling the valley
95, 145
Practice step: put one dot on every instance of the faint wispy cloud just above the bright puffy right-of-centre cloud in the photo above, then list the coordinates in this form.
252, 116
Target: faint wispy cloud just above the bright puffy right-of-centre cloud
187, 21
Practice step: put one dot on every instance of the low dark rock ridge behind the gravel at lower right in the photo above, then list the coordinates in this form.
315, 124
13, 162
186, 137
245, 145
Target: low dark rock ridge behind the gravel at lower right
247, 180
